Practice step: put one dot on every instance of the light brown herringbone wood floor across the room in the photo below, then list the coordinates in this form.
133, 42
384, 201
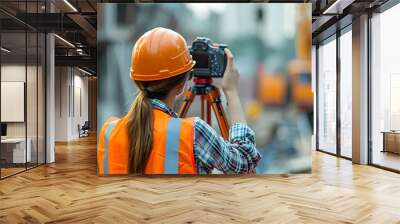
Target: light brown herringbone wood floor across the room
70, 191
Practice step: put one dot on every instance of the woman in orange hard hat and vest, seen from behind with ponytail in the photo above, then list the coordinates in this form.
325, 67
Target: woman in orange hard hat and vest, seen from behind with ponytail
151, 139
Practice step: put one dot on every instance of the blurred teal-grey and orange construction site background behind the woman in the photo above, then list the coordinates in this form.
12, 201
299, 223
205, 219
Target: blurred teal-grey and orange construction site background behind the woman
272, 48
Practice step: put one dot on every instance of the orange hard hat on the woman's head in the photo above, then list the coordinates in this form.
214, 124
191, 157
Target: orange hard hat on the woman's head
160, 54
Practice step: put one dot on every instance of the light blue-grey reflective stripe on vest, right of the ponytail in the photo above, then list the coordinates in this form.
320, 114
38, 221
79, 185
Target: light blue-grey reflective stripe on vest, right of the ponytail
172, 146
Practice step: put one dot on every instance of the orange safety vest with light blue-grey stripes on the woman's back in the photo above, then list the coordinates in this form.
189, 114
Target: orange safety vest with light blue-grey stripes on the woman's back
171, 152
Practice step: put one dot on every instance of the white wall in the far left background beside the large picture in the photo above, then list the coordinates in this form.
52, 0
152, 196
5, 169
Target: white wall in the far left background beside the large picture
70, 83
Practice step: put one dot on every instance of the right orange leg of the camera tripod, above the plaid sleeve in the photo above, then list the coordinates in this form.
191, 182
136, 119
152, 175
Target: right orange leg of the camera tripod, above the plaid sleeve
214, 99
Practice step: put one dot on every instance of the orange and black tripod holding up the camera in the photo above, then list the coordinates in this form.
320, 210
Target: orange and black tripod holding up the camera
211, 98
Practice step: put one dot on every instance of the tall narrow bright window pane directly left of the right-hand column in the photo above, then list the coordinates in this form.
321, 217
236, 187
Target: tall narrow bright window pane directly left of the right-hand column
346, 94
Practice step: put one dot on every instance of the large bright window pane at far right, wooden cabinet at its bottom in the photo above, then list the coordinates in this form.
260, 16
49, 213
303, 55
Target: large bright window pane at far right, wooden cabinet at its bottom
386, 89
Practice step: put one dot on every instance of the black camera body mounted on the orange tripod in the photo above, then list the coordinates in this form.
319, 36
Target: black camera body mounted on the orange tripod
210, 60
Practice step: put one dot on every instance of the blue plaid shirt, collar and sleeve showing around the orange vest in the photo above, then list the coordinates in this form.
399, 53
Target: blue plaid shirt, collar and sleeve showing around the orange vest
238, 155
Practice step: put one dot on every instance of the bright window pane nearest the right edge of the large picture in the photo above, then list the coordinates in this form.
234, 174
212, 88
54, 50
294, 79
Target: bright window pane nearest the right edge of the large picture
327, 97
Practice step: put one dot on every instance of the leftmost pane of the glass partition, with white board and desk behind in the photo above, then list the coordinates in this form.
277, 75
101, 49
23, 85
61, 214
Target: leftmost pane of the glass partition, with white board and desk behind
13, 87
